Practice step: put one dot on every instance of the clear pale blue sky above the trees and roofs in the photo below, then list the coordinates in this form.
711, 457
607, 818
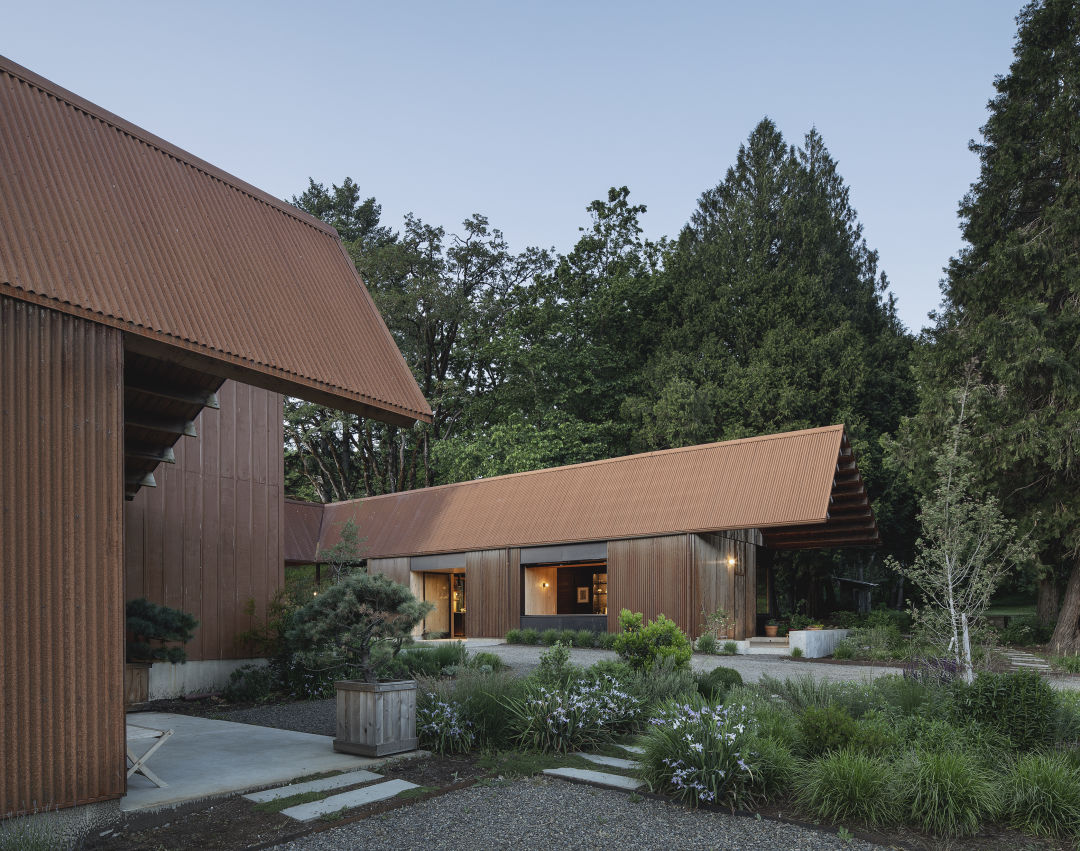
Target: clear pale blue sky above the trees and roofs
528, 112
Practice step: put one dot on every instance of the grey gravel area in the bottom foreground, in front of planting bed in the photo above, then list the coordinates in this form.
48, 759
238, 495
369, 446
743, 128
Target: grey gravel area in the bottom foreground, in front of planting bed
549, 814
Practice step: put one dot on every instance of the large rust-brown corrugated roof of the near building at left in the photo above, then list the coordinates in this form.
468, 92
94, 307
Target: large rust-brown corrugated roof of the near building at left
103, 221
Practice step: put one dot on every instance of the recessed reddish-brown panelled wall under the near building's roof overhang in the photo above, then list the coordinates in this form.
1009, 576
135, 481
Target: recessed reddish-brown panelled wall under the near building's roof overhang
210, 538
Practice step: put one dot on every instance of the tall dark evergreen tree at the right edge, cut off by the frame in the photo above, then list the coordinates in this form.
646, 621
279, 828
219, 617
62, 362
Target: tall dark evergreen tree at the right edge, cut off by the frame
1012, 304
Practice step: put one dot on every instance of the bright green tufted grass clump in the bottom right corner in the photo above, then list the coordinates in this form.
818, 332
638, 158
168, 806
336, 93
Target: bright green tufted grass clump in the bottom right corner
1043, 795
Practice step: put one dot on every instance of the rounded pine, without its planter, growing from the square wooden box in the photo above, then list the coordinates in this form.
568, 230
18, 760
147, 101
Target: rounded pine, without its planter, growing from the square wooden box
342, 627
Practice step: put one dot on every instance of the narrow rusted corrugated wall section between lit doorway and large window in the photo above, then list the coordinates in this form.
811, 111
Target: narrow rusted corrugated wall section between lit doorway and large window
493, 592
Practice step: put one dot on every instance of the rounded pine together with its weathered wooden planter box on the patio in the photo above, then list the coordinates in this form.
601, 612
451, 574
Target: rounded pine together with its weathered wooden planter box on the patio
339, 631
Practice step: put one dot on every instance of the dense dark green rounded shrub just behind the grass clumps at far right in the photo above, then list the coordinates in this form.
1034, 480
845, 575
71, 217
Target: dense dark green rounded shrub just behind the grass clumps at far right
1022, 707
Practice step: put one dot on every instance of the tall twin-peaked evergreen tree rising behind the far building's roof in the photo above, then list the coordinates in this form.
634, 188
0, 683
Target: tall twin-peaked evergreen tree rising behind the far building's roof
779, 319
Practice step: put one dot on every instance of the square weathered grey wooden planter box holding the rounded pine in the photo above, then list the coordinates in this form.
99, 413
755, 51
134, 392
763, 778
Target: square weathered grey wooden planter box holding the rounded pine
376, 719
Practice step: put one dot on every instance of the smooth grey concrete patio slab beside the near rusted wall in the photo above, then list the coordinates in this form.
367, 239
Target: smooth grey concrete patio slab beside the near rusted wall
207, 758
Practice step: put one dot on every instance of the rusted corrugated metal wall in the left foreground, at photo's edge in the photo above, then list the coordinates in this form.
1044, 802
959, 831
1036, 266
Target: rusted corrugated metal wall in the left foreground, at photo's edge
62, 718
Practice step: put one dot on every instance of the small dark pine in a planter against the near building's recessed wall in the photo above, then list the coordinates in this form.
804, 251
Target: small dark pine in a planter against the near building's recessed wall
154, 632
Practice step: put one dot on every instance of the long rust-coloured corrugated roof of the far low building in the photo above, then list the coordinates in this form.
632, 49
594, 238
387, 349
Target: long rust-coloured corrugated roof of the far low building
782, 481
